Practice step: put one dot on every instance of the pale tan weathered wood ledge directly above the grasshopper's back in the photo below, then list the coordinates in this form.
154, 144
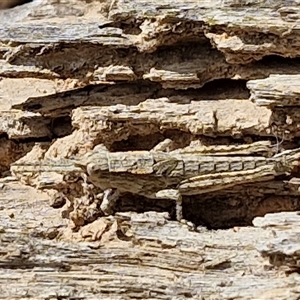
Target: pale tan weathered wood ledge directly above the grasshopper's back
197, 118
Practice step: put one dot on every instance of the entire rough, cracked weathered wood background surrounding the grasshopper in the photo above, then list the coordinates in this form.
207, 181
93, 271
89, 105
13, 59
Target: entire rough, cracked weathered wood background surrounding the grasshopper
208, 74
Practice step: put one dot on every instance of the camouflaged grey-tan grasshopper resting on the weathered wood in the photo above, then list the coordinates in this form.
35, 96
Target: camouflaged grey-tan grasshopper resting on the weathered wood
171, 175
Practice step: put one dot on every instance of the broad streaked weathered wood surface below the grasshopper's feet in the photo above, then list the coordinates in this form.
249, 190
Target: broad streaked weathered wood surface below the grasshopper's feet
129, 255
